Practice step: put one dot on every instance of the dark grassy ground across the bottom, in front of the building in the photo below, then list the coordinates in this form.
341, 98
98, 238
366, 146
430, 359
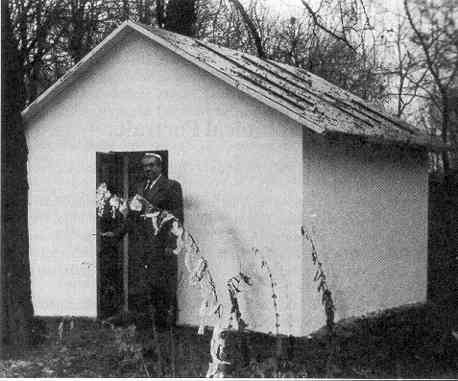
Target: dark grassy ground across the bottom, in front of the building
410, 342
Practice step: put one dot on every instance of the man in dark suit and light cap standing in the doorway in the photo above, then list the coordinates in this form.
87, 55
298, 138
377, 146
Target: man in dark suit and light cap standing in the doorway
152, 270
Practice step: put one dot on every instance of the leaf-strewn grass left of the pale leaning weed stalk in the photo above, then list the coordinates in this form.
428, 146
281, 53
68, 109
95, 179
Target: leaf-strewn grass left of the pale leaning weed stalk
94, 350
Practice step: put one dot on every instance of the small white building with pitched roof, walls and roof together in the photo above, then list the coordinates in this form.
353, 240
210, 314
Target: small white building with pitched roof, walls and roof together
262, 150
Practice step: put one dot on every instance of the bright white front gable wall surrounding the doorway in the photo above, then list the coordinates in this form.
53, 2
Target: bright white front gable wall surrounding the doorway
239, 162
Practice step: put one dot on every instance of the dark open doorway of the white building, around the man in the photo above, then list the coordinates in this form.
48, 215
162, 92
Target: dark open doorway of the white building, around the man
120, 171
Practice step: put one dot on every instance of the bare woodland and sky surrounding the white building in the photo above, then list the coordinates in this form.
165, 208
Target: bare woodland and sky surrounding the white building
408, 66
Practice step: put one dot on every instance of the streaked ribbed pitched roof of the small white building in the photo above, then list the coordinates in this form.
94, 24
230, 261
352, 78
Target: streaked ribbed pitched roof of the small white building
312, 101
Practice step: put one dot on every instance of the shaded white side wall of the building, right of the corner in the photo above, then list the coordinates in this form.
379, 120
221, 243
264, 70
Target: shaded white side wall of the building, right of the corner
367, 207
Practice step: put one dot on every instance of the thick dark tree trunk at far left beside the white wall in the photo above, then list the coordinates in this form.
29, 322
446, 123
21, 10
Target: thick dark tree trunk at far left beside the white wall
17, 310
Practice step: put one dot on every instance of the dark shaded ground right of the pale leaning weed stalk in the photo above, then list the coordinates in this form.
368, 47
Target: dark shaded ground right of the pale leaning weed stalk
407, 342
